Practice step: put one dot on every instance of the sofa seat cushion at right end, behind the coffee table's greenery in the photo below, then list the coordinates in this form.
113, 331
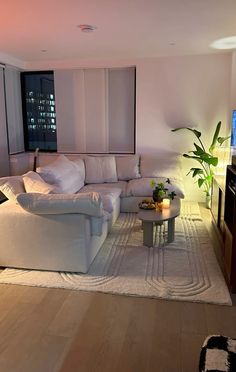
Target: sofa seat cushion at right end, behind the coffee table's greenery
141, 187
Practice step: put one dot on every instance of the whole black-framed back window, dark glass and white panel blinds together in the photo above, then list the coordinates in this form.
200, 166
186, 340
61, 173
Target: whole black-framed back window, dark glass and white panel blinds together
94, 110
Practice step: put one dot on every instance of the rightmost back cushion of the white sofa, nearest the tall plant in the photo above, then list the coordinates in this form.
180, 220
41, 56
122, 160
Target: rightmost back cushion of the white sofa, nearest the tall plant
160, 166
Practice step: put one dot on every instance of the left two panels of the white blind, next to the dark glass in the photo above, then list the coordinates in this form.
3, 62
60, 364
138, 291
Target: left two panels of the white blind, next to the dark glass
80, 110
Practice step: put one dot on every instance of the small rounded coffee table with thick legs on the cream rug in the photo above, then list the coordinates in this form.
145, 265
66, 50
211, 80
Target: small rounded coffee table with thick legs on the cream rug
151, 217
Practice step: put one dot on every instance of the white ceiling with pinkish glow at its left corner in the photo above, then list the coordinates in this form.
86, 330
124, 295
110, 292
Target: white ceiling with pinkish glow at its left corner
47, 30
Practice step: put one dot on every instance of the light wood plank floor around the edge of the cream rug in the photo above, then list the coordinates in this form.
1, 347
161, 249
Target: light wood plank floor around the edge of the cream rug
48, 330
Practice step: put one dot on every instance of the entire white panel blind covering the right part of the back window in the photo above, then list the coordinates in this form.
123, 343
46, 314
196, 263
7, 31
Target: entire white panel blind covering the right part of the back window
95, 110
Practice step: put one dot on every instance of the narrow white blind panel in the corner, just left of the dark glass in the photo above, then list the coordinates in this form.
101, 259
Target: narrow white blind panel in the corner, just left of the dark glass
14, 110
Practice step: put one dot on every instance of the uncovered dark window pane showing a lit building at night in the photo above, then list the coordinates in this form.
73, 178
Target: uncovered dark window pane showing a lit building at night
39, 114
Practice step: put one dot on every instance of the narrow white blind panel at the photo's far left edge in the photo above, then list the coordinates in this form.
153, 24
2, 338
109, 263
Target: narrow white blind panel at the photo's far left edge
4, 157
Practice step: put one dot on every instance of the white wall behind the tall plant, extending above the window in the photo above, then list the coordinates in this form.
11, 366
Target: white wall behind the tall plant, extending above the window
178, 91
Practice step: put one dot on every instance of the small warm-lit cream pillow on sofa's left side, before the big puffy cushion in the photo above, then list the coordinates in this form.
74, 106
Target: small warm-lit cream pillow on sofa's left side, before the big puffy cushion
34, 183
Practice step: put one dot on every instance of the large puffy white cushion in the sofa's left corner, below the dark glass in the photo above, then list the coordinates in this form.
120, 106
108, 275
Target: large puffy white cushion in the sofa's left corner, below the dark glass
67, 176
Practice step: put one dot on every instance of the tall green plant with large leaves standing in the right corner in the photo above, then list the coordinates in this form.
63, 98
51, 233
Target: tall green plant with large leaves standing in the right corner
206, 159
